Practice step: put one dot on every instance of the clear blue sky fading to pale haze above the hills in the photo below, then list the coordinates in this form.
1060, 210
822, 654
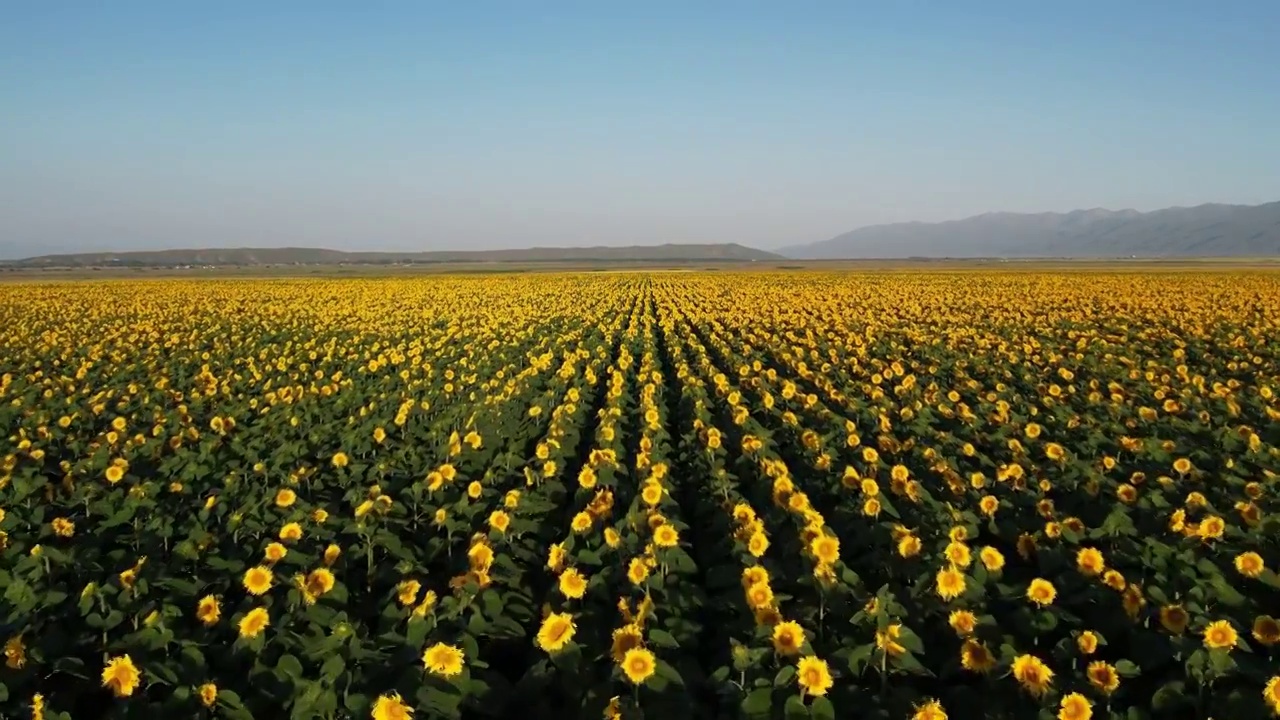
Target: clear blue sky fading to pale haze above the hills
472, 125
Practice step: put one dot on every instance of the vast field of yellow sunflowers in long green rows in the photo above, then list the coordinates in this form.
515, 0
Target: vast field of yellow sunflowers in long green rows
643, 495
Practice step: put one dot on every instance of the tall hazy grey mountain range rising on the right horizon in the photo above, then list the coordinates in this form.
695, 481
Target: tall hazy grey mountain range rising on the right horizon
1205, 231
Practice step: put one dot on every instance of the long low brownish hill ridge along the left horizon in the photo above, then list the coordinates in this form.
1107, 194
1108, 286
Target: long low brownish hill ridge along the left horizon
319, 257
